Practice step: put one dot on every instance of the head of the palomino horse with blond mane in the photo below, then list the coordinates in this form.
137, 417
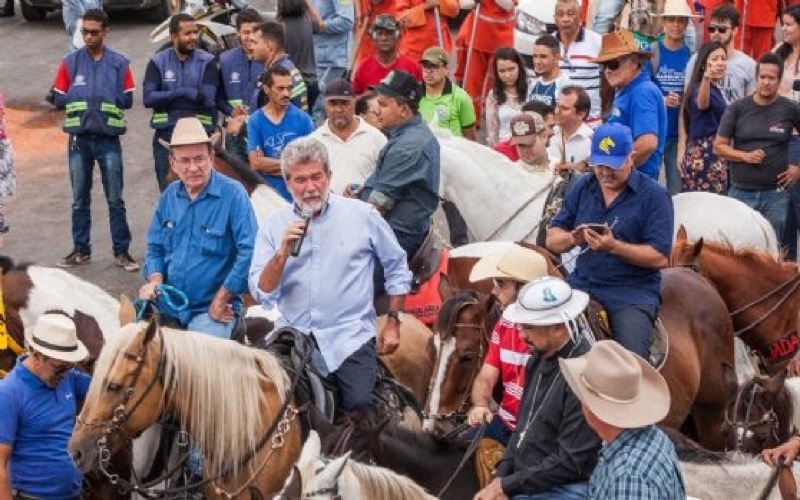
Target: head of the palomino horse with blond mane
125, 396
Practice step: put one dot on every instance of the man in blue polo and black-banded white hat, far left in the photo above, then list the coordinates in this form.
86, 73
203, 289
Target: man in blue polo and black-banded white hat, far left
39, 401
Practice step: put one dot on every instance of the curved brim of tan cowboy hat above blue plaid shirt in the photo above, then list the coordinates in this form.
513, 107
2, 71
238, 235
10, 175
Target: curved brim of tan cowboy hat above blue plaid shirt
638, 413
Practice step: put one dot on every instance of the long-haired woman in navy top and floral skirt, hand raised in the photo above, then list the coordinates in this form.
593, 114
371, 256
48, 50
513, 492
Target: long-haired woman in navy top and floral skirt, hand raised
700, 169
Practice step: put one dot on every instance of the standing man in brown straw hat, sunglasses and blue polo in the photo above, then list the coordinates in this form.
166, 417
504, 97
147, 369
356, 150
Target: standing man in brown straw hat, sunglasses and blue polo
638, 103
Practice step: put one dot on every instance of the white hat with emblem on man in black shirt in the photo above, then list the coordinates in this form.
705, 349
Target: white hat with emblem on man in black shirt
546, 301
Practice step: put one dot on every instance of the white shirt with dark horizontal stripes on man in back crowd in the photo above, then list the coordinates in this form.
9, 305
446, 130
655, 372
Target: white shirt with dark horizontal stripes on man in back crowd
576, 63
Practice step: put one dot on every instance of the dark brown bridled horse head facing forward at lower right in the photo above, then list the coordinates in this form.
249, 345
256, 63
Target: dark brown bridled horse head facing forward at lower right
758, 413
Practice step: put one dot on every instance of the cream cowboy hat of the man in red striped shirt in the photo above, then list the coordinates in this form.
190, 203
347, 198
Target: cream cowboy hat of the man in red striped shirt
515, 263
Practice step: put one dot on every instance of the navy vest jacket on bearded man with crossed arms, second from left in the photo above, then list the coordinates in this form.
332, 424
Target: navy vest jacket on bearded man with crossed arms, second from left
181, 88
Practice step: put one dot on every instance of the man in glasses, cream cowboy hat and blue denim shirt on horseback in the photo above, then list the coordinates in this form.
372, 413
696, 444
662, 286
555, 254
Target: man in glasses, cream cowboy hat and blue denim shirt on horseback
201, 237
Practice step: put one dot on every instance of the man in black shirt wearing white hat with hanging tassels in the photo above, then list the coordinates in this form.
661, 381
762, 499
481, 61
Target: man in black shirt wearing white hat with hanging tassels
553, 451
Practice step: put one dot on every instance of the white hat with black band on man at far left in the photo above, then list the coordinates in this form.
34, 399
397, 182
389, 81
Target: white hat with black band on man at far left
55, 336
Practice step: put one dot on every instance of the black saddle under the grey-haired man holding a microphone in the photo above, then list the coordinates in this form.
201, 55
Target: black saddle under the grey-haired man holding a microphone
292, 347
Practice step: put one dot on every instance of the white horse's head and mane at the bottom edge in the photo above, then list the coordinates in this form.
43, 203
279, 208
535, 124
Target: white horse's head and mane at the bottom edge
314, 476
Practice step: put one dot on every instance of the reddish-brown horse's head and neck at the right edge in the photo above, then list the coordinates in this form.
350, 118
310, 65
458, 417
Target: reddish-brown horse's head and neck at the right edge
760, 291
